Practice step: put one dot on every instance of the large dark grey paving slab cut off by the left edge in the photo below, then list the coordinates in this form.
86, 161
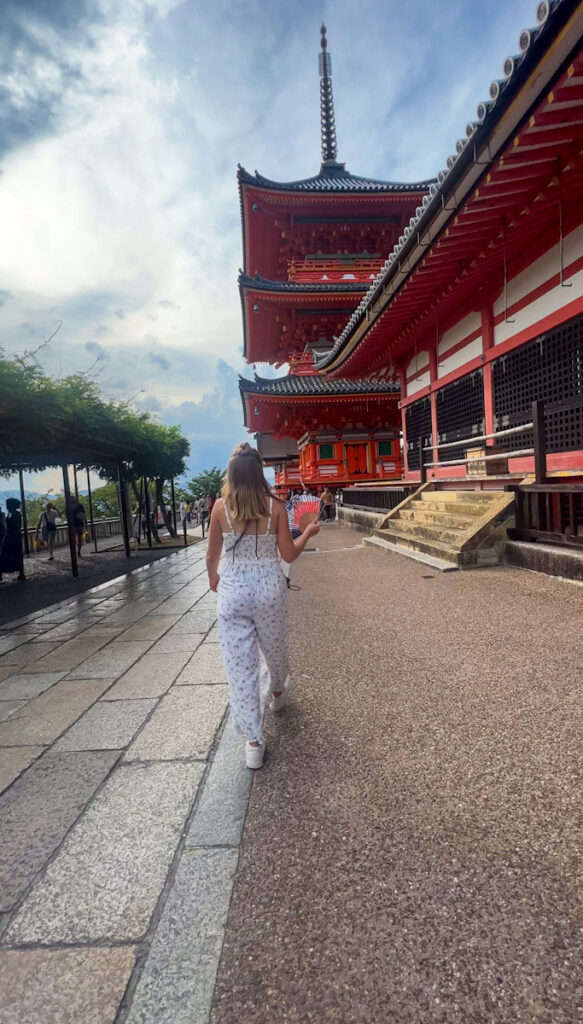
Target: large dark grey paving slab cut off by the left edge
38, 810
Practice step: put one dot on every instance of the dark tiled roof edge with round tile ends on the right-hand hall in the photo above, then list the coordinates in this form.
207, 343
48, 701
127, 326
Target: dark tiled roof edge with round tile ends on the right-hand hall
534, 44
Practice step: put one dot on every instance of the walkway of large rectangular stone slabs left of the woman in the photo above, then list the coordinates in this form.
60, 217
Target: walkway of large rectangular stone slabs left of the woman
122, 803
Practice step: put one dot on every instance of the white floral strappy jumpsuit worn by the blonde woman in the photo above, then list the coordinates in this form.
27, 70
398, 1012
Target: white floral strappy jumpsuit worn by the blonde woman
253, 614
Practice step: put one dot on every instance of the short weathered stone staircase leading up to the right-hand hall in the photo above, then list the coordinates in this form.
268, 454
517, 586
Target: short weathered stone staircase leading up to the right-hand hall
459, 529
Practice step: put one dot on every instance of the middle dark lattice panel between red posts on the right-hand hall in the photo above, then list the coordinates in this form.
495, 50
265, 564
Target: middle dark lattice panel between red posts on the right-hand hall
461, 413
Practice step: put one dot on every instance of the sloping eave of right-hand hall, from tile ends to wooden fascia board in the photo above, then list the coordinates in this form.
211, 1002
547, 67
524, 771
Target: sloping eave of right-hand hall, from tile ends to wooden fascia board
555, 42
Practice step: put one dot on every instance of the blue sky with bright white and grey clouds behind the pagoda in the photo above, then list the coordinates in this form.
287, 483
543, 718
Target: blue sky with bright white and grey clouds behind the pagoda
121, 126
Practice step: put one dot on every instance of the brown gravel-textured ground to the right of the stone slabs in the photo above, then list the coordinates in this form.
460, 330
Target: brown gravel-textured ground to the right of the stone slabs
412, 849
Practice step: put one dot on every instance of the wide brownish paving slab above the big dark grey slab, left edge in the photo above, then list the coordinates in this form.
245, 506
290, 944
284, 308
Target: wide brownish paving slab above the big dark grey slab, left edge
45, 719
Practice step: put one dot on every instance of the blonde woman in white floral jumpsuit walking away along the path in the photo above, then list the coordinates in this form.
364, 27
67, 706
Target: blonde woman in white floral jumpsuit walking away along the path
253, 608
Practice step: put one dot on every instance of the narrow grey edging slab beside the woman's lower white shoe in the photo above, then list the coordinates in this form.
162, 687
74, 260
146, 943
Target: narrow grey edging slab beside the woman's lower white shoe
221, 815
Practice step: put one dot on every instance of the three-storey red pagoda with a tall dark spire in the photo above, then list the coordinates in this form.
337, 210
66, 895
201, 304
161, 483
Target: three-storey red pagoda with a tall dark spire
312, 249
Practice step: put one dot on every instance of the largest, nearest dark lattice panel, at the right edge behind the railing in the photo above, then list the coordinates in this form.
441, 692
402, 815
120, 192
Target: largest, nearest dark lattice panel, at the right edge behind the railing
549, 369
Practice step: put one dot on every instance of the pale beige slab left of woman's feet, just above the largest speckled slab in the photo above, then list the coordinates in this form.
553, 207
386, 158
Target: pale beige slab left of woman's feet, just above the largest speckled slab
184, 726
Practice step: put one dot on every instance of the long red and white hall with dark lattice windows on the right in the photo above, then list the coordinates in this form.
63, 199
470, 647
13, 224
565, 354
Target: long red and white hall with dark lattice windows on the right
480, 306
